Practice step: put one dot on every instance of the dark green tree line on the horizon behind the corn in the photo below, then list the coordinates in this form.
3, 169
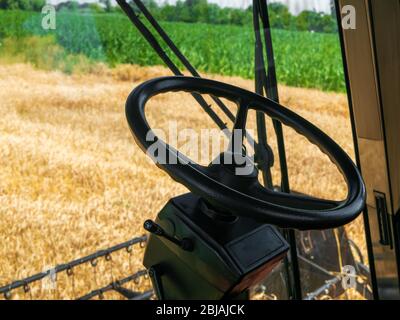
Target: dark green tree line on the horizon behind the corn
193, 11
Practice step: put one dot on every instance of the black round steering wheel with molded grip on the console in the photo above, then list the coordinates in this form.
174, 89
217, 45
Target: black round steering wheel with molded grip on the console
243, 195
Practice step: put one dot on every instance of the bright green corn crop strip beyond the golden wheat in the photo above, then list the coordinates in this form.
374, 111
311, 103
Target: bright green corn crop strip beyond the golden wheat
303, 59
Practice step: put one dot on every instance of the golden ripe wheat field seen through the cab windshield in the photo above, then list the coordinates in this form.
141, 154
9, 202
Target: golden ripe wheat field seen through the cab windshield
72, 180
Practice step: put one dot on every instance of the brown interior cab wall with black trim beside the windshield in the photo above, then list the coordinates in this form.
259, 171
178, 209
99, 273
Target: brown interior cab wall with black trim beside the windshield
372, 53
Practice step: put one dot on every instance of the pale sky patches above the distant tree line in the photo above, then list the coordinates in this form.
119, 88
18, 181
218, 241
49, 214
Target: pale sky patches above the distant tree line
295, 6
